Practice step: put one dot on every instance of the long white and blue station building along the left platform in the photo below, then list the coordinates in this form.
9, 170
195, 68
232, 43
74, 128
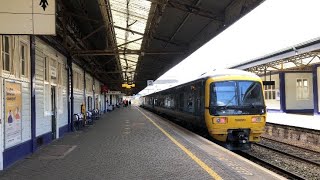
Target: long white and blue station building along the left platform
45, 96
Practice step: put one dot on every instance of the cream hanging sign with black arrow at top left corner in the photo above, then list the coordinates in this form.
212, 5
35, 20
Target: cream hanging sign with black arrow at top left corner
28, 17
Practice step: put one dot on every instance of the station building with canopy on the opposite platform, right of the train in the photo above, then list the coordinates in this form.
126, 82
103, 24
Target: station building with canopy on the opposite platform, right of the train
295, 73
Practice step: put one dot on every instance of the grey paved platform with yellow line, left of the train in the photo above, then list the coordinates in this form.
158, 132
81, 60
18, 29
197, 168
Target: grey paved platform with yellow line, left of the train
131, 143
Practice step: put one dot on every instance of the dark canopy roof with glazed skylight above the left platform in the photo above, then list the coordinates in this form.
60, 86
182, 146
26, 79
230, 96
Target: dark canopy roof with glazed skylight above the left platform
132, 41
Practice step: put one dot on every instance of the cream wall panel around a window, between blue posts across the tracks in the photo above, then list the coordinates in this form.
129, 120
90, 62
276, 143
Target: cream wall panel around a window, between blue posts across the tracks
290, 85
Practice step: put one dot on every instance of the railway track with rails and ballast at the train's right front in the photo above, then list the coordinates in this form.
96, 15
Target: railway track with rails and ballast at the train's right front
290, 161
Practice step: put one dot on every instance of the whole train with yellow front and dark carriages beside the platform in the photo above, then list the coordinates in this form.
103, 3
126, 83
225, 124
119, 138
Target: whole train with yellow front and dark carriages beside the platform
228, 104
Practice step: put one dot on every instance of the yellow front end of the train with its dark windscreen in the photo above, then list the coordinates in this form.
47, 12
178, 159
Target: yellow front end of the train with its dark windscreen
235, 111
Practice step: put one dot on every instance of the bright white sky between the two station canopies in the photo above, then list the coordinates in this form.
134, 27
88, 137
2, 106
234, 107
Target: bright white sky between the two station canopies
270, 27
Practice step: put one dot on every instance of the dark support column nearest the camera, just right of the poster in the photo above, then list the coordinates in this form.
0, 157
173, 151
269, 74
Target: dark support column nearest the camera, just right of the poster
33, 91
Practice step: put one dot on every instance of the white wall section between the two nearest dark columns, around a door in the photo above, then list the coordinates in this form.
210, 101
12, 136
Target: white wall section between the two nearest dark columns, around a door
43, 90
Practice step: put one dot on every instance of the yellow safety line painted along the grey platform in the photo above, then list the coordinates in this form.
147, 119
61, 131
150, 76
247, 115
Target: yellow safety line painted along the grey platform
184, 149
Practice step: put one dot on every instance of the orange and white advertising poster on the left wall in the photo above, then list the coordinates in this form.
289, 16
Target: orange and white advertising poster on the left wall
13, 106
